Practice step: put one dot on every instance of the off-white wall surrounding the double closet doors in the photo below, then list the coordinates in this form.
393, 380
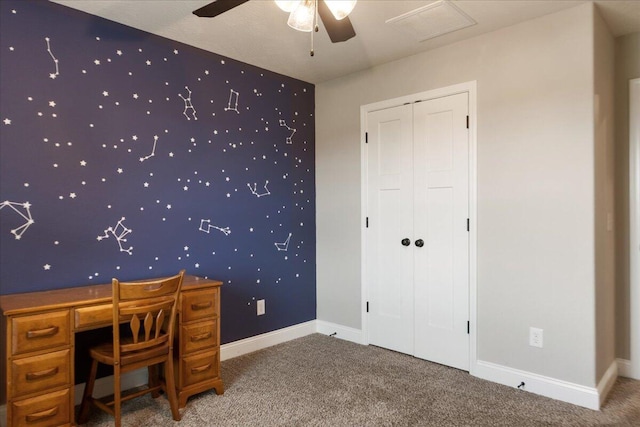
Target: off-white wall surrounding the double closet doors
536, 242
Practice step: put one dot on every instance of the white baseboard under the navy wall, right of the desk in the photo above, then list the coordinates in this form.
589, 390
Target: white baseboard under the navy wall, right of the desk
249, 345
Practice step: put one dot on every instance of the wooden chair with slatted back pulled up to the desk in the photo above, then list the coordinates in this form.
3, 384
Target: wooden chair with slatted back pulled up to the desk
149, 309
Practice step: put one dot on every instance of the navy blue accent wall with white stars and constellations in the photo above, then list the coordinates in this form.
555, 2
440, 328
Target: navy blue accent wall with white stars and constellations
124, 154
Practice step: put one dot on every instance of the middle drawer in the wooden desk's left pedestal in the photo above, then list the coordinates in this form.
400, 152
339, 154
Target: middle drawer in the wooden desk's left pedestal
38, 373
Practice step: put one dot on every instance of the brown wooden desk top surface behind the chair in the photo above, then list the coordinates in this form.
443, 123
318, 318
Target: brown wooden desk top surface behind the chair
82, 295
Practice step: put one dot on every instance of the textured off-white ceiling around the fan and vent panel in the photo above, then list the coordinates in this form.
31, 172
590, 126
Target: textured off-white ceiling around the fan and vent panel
256, 32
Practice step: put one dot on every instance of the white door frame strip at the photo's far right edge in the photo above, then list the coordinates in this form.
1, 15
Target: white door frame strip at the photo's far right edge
634, 224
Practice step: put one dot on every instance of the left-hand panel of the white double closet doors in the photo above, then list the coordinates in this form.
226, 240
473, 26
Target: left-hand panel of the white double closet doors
390, 201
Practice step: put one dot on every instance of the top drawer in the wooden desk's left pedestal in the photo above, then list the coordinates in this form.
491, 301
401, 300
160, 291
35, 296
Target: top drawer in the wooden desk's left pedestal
39, 331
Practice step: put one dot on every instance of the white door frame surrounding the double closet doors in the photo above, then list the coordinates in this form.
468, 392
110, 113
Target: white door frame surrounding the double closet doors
470, 88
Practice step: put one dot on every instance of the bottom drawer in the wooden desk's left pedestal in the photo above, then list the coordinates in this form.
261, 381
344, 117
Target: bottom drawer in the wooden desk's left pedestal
51, 409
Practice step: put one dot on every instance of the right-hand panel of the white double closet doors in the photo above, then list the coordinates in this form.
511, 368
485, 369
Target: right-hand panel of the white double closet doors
441, 210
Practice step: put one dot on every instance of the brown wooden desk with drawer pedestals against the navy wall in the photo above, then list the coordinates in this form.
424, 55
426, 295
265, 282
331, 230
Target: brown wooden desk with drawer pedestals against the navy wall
38, 352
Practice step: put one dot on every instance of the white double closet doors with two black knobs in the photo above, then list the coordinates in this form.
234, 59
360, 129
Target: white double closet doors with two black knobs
417, 238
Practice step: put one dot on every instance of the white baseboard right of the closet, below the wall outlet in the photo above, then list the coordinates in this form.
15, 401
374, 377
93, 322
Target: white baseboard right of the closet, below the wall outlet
565, 391
